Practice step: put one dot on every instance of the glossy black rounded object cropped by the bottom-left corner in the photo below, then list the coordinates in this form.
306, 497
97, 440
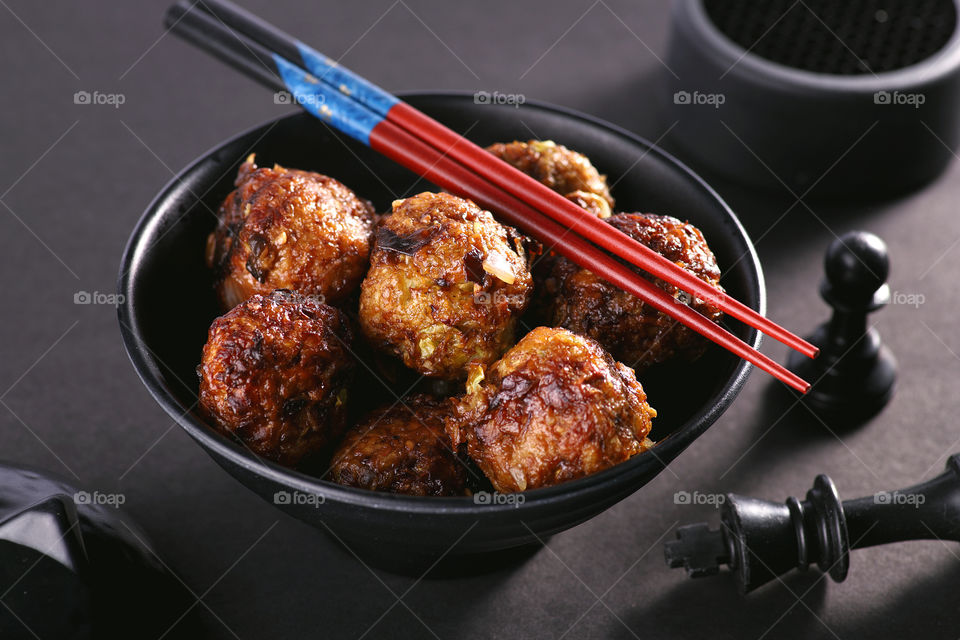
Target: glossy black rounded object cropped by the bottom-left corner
71, 567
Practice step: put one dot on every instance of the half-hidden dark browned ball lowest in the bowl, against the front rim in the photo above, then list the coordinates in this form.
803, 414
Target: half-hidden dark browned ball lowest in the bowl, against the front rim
402, 449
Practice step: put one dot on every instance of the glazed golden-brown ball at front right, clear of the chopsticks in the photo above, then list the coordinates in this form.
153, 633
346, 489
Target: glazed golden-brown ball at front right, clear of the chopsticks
556, 407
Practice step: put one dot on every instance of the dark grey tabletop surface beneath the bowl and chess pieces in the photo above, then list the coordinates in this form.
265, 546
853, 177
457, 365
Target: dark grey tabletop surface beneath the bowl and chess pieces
75, 178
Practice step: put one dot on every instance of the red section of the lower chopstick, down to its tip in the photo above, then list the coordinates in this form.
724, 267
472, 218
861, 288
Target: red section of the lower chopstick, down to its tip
427, 161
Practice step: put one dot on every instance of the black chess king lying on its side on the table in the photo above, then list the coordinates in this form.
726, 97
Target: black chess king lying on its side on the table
760, 540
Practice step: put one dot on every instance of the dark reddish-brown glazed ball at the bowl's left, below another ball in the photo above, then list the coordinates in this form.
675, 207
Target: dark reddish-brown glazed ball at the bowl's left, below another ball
274, 374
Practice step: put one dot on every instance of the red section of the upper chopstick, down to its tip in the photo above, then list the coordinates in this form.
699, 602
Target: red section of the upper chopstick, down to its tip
570, 215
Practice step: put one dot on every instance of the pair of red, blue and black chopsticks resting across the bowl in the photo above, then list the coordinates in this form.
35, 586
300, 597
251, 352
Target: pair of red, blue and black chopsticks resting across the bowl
388, 125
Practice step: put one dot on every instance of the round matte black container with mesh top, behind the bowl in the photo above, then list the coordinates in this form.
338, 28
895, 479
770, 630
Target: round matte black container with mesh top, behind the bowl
857, 99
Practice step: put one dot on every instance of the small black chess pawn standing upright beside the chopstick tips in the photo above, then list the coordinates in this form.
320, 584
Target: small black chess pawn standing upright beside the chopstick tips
854, 375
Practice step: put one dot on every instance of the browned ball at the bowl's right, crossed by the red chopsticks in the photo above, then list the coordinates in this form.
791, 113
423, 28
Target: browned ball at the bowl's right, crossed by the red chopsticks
632, 331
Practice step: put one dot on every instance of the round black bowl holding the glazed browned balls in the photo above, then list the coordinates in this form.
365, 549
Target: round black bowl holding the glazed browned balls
170, 304
